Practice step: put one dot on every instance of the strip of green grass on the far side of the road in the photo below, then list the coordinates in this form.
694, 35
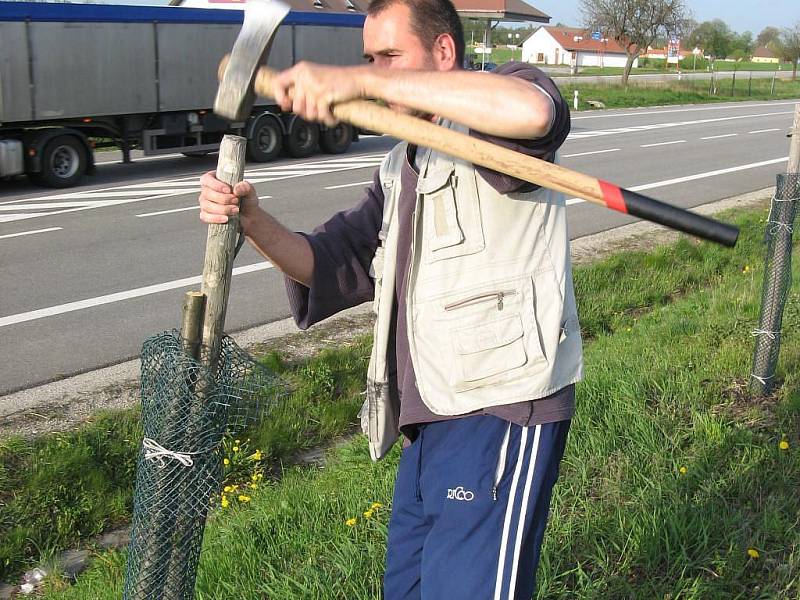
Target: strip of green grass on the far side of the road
685, 92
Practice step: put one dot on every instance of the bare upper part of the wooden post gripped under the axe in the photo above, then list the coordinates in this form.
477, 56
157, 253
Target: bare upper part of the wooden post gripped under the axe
220, 247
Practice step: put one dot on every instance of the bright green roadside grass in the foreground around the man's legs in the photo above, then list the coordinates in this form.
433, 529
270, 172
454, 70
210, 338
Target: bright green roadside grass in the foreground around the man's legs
674, 483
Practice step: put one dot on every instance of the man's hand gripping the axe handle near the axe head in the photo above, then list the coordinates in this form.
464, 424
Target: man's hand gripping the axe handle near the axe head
310, 90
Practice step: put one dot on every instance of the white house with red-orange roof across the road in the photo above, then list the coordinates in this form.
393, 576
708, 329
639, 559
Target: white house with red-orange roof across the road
565, 45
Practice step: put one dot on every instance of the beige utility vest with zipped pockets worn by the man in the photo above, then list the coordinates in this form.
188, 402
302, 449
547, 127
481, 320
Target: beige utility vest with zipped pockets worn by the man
490, 305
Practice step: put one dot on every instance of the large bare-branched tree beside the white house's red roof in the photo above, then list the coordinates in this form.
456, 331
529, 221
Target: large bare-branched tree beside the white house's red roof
634, 24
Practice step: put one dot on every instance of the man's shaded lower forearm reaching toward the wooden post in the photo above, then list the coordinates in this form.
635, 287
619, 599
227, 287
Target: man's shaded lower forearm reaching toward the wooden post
288, 251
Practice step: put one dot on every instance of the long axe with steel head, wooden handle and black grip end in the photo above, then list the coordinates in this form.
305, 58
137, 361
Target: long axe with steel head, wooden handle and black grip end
242, 77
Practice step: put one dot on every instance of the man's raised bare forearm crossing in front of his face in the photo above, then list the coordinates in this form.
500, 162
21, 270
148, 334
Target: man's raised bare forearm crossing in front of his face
497, 105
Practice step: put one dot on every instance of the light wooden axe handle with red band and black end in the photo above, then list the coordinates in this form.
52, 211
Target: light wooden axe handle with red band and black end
370, 116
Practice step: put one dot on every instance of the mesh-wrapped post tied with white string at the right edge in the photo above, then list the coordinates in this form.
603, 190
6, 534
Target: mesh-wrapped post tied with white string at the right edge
777, 281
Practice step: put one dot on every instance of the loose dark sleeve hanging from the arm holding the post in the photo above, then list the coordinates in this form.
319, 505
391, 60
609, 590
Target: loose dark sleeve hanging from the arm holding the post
343, 249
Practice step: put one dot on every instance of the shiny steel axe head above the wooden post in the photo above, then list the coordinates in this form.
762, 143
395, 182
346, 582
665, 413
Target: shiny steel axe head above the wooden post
235, 96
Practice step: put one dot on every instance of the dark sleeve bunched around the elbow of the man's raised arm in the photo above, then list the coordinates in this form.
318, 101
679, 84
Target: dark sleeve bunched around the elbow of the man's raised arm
544, 147
